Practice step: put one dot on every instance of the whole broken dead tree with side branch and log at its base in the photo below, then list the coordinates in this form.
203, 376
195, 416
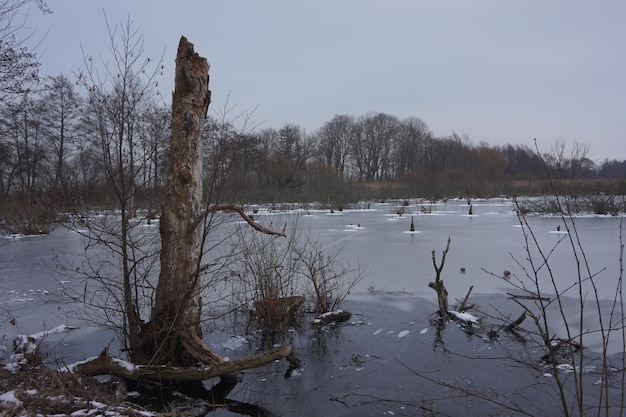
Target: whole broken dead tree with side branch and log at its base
173, 336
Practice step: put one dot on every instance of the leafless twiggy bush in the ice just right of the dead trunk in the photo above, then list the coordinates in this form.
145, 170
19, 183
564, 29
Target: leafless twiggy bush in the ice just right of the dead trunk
276, 276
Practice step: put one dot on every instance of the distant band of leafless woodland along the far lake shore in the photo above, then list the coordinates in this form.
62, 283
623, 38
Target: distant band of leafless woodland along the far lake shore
64, 148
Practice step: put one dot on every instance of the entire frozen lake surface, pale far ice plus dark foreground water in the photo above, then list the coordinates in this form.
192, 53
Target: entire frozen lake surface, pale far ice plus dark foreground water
393, 305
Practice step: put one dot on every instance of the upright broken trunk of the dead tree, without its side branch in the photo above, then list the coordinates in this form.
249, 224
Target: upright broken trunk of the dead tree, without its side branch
177, 299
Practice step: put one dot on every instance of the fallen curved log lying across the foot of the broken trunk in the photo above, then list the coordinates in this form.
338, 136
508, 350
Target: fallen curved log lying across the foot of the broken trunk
108, 365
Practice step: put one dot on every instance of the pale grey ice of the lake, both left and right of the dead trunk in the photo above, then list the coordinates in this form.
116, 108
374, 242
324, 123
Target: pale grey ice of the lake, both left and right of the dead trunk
396, 260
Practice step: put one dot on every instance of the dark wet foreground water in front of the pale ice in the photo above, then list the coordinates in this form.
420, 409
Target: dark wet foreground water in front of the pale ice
392, 346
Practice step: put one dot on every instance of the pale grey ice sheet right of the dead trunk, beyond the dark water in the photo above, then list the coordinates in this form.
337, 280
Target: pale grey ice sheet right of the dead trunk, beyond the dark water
491, 239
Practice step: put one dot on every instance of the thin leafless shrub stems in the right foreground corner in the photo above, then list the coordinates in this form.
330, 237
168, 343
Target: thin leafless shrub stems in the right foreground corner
566, 352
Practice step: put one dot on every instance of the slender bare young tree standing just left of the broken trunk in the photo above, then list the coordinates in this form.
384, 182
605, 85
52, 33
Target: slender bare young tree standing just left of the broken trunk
119, 99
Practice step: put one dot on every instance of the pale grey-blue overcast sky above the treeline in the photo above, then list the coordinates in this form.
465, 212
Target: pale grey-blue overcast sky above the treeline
499, 71
